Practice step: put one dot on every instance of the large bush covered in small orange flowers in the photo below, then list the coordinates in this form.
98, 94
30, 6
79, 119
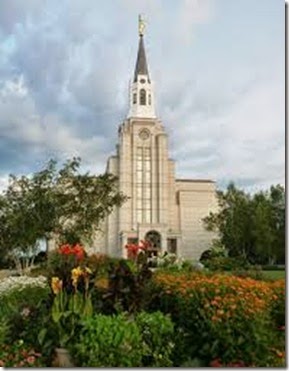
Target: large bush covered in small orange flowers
220, 317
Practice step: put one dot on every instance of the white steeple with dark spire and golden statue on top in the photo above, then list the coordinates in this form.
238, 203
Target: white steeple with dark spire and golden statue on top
141, 89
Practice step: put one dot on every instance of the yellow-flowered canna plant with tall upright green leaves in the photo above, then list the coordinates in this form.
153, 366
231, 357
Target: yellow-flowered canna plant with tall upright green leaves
67, 308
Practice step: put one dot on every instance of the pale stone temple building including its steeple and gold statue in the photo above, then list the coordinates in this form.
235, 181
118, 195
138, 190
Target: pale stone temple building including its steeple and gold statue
160, 208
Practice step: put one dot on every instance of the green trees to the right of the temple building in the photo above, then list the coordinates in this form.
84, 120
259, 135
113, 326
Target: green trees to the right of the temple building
252, 226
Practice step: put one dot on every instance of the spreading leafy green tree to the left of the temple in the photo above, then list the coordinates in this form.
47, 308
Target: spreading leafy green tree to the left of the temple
54, 203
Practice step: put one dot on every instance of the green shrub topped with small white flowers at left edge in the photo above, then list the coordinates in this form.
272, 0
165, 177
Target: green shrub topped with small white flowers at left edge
25, 307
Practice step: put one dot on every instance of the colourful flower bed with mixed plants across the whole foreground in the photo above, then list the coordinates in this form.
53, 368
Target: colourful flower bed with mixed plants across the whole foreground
217, 319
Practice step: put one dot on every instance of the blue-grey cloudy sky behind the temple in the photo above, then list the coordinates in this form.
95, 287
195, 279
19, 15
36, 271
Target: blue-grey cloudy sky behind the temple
218, 68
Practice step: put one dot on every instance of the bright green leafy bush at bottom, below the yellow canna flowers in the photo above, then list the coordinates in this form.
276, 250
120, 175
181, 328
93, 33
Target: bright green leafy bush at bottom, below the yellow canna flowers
108, 341
